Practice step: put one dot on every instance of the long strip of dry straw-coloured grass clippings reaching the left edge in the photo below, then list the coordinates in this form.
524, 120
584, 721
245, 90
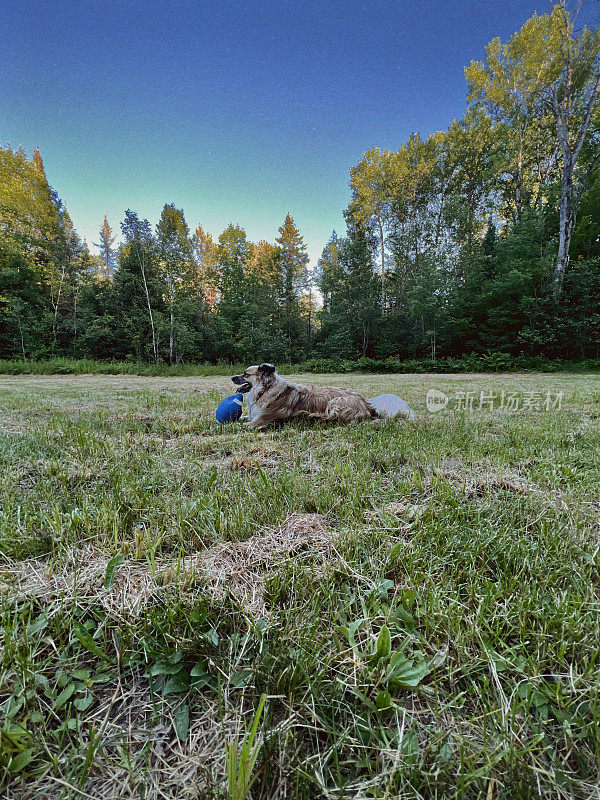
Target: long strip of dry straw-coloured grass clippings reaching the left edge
235, 568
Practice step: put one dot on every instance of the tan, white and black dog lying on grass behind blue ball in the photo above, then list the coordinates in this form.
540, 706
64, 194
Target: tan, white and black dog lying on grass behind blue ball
272, 399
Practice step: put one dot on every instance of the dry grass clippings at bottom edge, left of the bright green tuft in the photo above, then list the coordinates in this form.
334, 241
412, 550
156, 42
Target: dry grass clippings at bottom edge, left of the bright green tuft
139, 754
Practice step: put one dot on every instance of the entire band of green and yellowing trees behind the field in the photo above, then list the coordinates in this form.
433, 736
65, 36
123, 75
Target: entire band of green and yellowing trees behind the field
483, 238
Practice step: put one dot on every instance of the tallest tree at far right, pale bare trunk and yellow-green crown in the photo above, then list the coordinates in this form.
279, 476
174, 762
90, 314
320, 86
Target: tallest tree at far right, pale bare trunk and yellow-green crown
548, 67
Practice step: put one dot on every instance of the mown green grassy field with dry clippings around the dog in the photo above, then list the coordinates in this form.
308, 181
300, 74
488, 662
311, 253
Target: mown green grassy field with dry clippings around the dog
418, 601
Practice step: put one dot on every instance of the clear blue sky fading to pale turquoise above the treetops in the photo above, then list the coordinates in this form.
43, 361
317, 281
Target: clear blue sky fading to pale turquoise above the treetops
234, 111
